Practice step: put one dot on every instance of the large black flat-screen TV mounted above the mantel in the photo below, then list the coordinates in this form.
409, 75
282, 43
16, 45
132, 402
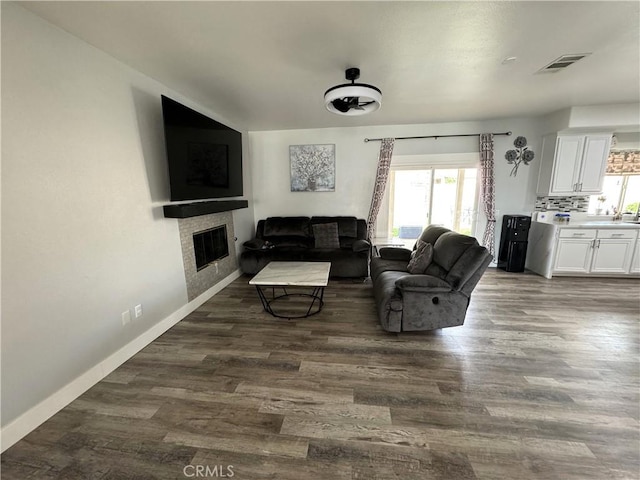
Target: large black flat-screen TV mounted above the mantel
205, 156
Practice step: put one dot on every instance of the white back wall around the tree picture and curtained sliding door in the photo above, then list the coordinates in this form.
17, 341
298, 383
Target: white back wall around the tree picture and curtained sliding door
356, 163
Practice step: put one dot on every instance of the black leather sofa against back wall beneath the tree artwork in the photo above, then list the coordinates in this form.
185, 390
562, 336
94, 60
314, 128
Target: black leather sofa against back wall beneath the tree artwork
292, 239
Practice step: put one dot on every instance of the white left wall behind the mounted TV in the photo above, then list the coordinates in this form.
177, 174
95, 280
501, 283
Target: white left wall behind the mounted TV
83, 182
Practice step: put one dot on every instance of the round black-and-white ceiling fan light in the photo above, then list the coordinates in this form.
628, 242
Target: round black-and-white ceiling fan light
353, 98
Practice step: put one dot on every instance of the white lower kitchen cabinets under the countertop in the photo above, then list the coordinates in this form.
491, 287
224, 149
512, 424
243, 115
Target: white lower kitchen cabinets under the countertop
605, 251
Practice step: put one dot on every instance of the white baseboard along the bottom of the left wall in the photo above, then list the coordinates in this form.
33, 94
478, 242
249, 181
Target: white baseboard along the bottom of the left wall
36, 416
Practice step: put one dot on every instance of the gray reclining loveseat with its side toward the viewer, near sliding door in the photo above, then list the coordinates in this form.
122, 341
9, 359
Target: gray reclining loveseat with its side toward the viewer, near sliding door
437, 298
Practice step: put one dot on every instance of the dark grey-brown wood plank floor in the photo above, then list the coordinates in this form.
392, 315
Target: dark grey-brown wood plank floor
542, 382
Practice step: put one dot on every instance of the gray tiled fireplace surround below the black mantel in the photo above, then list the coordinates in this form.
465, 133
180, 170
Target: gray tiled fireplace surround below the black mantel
199, 282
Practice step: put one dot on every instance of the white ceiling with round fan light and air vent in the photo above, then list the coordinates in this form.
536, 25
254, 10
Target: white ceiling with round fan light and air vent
266, 65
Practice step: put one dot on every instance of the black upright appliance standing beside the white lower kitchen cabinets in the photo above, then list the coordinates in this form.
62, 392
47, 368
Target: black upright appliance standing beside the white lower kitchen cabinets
513, 242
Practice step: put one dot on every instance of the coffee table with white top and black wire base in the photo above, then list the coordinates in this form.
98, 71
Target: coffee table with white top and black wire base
314, 275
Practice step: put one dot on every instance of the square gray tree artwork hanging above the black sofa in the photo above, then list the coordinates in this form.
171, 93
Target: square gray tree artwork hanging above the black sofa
313, 168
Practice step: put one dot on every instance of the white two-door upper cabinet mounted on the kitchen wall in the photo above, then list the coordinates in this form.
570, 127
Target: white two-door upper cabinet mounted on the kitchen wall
573, 164
